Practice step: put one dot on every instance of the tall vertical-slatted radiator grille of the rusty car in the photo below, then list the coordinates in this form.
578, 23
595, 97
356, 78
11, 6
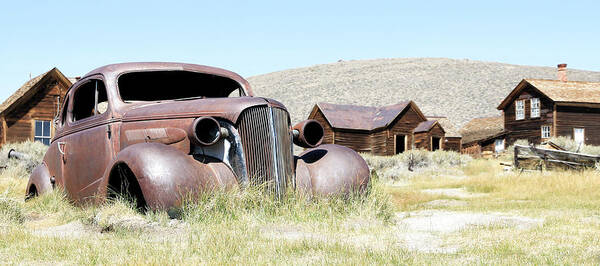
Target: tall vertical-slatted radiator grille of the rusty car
267, 143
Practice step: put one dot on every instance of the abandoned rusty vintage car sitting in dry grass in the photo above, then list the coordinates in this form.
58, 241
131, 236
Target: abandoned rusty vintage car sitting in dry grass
120, 132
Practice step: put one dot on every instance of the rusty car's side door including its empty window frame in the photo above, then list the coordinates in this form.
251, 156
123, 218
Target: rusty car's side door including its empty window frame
87, 148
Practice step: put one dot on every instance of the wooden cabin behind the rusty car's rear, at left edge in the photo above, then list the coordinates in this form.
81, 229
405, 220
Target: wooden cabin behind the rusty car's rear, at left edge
28, 114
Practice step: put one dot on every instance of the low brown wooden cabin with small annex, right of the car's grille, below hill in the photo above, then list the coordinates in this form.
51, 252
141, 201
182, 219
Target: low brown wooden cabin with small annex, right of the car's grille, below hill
384, 130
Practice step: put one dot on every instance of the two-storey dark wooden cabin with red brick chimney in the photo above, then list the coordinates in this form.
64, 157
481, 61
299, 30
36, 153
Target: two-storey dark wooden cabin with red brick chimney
538, 109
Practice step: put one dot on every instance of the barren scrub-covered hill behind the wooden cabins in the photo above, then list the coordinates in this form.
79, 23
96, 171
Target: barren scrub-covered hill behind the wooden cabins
459, 89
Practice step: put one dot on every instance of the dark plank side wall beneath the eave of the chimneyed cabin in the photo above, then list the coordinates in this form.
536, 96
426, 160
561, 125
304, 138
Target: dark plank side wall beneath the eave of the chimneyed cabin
569, 117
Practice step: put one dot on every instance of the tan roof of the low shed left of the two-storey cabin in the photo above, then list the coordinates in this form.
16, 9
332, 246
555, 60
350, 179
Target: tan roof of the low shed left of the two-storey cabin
482, 128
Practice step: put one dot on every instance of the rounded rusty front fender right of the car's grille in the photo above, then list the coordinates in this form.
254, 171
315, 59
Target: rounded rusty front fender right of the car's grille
331, 169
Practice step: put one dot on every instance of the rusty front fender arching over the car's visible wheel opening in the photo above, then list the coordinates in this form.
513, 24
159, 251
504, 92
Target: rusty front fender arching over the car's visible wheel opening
166, 174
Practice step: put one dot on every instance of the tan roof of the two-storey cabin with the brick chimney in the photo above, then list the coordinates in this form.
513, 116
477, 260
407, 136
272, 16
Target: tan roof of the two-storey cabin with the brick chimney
559, 91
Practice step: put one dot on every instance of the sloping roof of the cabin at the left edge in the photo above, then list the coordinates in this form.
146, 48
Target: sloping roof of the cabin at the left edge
31, 87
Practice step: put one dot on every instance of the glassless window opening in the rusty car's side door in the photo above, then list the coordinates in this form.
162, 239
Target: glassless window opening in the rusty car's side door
89, 99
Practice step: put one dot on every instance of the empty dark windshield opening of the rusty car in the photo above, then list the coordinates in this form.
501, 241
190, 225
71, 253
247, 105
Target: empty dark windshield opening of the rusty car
175, 85
